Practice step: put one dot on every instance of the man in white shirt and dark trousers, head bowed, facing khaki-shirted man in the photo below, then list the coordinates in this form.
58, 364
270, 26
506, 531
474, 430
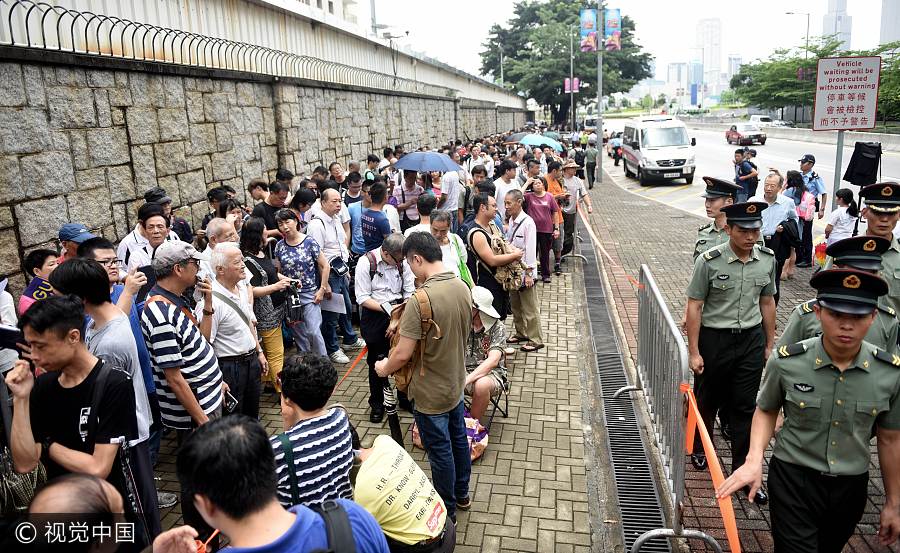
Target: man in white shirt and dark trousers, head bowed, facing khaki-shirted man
383, 281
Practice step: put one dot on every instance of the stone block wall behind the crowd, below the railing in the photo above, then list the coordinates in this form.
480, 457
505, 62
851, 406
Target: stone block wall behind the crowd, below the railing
81, 144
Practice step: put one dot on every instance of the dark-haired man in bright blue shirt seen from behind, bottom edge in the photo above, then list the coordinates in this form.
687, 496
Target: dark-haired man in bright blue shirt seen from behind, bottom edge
227, 469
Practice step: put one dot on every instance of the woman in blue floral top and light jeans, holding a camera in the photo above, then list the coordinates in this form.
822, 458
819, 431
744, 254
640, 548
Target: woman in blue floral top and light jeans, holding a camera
302, 261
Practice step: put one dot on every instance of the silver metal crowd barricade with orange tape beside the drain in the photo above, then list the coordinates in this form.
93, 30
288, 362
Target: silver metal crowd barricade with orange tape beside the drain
662, 367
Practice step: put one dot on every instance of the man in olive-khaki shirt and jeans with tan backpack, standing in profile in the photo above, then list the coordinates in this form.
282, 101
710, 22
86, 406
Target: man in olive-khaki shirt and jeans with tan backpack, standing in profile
439, 375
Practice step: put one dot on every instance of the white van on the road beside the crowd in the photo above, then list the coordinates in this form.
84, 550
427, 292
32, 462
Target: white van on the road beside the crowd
658, 148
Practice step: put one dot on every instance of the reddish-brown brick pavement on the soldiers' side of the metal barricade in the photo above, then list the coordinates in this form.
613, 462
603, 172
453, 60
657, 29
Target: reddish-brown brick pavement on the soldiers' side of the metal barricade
637, 230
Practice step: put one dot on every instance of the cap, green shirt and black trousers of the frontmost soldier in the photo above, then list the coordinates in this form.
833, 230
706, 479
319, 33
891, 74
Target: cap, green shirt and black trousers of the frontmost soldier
818, 475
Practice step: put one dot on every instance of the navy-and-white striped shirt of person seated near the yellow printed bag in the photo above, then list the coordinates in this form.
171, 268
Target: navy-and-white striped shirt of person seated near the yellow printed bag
323, 456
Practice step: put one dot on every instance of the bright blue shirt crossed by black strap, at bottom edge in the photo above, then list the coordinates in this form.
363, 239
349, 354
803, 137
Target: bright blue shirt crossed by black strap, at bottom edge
308, 533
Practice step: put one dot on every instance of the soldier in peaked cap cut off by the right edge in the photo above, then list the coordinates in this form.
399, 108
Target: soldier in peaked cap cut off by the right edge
881, 211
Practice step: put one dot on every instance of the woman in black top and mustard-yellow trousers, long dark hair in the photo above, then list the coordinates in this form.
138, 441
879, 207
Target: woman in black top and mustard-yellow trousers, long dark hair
268, 296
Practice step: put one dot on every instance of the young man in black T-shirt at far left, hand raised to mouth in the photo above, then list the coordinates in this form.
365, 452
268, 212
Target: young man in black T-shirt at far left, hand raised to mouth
59, 418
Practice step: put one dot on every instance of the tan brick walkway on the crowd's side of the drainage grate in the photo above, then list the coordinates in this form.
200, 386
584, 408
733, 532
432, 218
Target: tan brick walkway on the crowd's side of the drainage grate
530, 487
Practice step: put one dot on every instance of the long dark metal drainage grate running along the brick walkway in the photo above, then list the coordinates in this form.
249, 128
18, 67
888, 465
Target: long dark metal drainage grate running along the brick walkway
635, 481
